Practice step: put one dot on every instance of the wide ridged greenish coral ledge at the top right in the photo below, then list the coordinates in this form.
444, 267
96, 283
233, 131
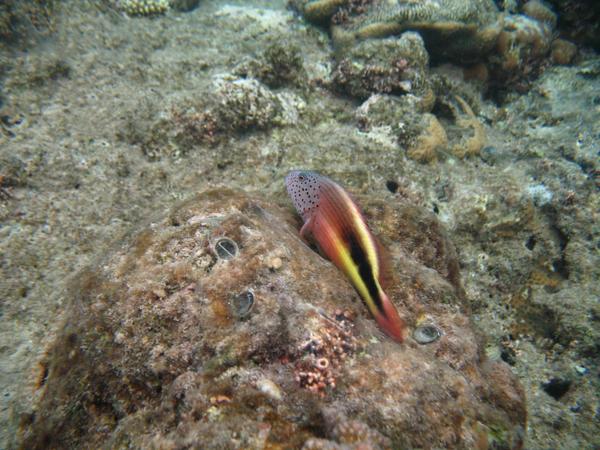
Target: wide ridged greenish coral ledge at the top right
505, 48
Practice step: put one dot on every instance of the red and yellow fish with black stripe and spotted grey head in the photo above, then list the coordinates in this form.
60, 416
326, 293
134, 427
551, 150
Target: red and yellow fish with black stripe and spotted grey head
339, 228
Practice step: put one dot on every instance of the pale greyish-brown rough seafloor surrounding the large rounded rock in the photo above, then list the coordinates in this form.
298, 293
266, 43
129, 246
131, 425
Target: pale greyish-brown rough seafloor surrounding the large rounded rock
104, 130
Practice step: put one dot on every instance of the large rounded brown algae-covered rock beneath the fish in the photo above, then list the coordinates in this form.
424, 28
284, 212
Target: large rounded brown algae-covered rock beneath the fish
217, 327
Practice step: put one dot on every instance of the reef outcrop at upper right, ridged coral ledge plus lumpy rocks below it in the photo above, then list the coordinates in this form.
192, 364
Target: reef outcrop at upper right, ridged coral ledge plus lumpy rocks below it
399, 48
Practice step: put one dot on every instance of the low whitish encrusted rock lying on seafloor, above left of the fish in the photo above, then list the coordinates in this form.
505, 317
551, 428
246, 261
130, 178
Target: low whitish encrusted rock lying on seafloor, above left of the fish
232, 106
